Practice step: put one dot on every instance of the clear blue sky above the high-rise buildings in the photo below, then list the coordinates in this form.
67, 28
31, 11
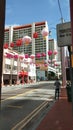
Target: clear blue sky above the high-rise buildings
21, 12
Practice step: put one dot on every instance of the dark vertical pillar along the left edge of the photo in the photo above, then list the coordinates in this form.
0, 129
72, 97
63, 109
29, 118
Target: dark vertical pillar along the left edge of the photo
2, 23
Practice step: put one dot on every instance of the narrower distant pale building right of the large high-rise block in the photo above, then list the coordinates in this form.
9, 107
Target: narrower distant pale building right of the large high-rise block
55, 65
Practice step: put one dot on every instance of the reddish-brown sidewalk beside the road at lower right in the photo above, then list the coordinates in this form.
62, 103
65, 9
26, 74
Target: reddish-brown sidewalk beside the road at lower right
60, 116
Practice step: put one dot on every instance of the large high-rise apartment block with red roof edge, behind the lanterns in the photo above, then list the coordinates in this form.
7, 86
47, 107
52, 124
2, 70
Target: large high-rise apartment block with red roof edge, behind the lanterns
38, 45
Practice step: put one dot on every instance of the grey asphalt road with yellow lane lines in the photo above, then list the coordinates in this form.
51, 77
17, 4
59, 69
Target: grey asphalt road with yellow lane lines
21, 105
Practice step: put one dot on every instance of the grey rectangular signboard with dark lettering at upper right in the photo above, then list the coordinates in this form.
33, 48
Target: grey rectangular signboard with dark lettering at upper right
64, 34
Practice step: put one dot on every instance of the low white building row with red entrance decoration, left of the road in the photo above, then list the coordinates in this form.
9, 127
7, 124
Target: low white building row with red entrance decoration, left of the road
14, 65
